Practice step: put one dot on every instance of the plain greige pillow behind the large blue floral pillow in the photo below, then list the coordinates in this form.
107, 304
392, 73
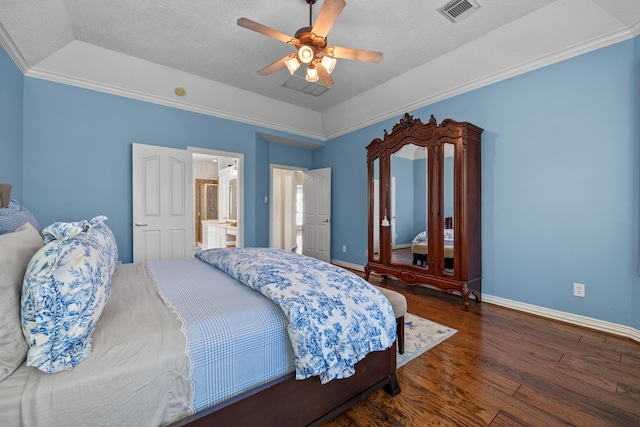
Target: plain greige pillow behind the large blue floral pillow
16, 249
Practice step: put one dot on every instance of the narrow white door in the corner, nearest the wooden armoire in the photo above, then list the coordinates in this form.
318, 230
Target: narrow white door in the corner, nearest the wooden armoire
316, 228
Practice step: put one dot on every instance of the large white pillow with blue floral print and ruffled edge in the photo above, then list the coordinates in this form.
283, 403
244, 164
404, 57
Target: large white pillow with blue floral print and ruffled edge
65, 289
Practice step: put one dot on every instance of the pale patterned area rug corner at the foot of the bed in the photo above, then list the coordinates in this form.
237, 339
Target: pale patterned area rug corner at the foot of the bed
419, 336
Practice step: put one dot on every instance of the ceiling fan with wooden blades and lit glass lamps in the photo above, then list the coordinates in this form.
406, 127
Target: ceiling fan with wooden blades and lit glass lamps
311, 45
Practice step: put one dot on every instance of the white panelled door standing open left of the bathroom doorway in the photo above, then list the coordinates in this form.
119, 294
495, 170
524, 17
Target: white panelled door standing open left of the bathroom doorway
162, 203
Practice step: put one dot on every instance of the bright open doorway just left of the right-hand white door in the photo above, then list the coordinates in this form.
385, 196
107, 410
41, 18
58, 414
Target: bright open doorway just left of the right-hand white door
287, 208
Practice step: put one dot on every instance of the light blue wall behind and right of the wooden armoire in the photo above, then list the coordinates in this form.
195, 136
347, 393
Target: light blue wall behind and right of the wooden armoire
560, 183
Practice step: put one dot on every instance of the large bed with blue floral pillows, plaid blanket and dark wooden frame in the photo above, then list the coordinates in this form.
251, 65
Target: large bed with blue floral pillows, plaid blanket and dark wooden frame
186, 342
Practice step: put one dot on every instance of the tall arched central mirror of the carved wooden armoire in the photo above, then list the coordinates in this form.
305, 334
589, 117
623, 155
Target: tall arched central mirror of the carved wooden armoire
409, 206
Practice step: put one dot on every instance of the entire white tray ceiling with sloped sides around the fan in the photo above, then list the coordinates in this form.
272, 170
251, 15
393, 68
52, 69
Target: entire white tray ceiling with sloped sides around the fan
146, 48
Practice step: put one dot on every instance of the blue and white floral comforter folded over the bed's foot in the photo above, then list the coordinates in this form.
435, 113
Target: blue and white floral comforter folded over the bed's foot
335, 317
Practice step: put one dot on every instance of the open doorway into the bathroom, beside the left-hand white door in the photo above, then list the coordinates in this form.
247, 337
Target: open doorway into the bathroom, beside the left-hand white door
217, 199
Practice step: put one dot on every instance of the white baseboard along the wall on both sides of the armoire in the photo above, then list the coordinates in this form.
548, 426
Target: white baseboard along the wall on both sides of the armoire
574, 319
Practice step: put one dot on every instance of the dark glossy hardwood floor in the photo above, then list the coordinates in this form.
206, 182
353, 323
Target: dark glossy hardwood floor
506, 368
